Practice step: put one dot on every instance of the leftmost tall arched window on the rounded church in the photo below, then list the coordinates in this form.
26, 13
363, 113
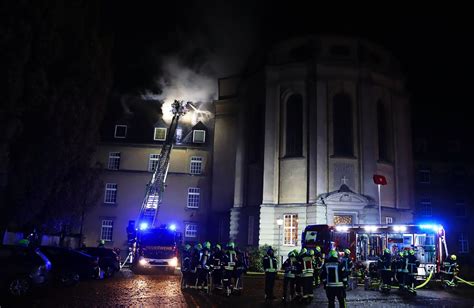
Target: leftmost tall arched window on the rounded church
294, 126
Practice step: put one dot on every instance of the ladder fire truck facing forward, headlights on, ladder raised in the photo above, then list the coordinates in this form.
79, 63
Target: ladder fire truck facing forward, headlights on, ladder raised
154, 246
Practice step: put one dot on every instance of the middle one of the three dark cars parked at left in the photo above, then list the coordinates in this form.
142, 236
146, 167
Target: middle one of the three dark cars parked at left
69, 266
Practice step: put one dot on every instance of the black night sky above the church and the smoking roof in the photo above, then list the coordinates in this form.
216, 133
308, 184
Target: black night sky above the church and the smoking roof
432, 44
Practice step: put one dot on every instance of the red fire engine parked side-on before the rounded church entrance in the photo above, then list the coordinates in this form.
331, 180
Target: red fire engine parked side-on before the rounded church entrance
367, 242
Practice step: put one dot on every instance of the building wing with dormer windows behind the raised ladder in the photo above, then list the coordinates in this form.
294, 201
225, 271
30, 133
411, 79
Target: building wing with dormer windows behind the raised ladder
128, 153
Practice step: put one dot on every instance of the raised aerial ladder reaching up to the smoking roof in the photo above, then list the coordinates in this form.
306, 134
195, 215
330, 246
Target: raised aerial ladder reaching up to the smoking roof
156, 186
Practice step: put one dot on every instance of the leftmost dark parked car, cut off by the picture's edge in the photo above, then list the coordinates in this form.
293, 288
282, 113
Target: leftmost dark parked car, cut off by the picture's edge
21, 268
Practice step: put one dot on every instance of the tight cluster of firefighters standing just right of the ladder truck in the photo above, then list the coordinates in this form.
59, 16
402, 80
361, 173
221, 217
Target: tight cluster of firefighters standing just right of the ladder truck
224, 266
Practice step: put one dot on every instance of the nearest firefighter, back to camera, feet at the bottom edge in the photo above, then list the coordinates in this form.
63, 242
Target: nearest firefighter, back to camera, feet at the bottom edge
331, 275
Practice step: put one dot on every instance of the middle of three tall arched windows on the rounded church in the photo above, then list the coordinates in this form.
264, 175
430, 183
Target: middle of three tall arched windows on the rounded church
342, 129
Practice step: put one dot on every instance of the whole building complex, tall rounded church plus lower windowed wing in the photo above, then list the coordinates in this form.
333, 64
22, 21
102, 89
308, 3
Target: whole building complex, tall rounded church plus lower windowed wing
296, 138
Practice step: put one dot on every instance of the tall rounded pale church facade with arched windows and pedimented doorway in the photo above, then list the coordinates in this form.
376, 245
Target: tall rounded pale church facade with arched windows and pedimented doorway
317, 120
